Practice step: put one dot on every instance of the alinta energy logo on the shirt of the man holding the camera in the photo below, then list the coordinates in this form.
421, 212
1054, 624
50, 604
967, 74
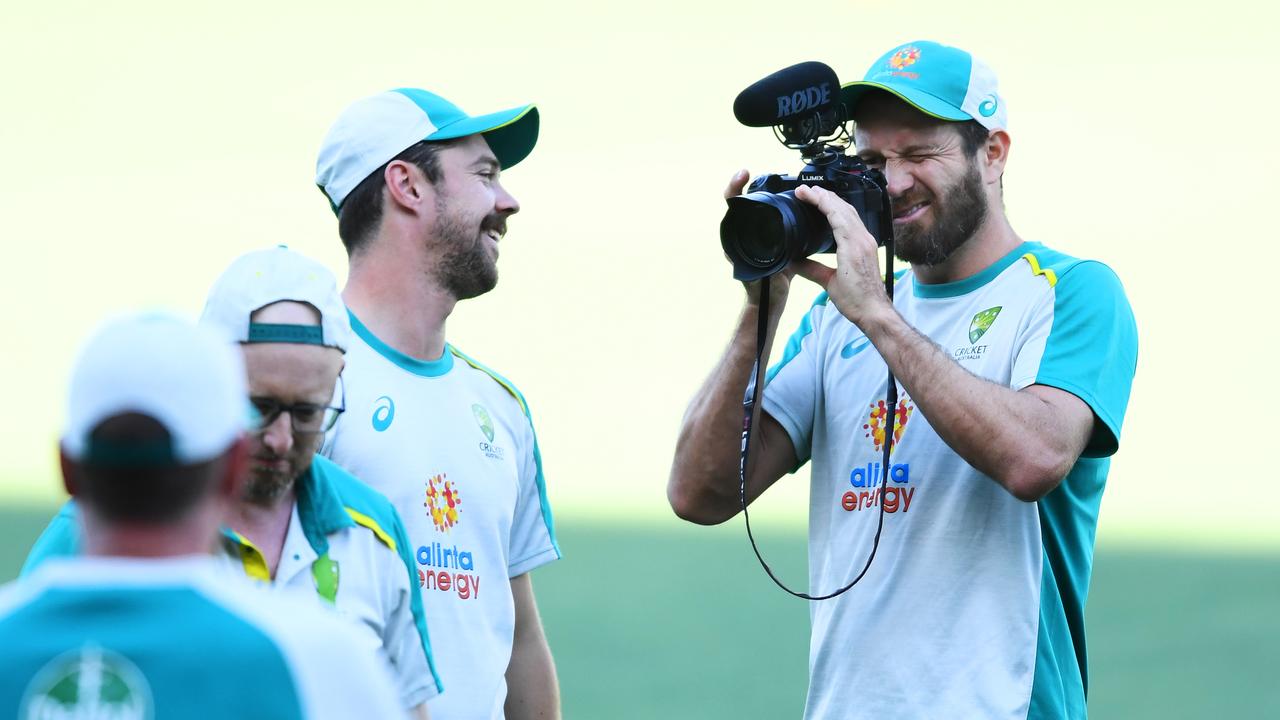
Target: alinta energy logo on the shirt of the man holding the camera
866, 481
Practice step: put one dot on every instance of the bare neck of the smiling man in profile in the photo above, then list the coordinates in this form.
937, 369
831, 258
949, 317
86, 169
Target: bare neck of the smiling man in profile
395, 297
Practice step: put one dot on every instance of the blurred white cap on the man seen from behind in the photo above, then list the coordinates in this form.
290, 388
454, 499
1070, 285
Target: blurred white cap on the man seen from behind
188, 379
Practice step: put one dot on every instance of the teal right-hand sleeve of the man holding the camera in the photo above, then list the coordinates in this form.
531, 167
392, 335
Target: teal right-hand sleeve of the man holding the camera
1092, 348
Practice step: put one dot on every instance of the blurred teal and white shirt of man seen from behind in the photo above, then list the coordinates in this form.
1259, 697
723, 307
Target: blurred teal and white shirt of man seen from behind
95, 637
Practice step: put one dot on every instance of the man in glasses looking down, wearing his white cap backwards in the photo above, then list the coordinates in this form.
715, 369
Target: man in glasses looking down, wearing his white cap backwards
303, 523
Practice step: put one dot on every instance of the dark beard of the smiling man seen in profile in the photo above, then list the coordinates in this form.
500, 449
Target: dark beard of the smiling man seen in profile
464, 267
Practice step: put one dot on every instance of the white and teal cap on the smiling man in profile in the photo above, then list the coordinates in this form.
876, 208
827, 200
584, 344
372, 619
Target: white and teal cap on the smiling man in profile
373, 131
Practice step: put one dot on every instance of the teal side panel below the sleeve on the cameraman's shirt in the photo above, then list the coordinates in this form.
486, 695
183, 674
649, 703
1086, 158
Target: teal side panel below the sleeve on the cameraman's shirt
1069, 520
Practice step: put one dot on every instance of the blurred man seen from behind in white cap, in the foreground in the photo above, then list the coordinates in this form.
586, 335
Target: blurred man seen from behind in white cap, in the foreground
144, 623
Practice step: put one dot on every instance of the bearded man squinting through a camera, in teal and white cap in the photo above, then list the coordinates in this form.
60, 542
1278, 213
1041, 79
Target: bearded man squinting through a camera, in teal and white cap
1014, 364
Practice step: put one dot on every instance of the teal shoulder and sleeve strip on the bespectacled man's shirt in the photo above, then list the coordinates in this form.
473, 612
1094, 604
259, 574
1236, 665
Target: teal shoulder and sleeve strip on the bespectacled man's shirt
355, 496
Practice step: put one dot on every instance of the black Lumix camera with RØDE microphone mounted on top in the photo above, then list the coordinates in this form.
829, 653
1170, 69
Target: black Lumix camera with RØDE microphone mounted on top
767, 229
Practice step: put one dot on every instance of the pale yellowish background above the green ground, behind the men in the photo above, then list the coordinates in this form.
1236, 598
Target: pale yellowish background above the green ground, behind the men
144, 145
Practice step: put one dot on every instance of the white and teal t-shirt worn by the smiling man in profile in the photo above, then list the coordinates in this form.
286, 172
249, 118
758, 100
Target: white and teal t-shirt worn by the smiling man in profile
452, 445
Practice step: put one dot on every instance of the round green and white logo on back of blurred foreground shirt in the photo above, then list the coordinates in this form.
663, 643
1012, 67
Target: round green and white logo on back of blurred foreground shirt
86, 685
